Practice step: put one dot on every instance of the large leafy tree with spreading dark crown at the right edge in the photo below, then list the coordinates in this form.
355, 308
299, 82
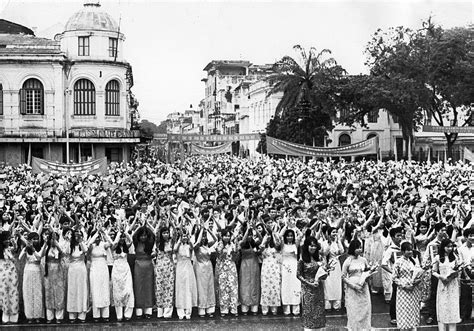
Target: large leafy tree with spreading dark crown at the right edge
425, 72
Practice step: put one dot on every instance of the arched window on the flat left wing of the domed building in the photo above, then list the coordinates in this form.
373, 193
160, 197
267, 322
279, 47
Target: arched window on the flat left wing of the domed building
32, 97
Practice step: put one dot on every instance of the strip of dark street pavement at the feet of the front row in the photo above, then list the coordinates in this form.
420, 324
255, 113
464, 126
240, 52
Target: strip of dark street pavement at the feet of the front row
335, 321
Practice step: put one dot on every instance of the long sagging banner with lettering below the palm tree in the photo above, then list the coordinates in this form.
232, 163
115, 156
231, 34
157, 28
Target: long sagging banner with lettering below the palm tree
277, 146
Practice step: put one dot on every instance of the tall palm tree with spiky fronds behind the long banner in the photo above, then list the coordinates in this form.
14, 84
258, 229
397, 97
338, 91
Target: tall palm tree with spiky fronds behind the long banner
309, 87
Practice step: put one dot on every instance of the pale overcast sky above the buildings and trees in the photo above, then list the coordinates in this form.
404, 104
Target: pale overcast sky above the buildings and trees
169, 43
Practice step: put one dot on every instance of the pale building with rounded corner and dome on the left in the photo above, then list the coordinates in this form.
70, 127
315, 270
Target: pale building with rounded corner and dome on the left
66, 99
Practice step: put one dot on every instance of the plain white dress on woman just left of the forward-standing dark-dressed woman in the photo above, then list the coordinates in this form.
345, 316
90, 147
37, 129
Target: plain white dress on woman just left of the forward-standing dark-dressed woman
290, 285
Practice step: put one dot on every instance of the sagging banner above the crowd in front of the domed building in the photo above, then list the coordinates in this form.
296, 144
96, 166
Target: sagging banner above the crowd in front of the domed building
98, 166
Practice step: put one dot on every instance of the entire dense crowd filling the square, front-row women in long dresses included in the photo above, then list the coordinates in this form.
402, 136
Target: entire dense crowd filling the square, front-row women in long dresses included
232, 236
